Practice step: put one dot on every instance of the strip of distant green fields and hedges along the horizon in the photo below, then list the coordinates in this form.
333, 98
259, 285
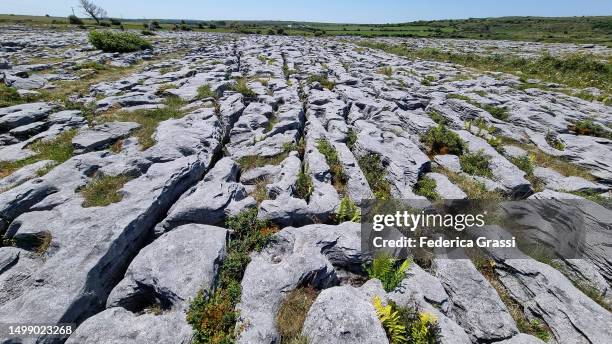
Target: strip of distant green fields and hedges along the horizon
542, 29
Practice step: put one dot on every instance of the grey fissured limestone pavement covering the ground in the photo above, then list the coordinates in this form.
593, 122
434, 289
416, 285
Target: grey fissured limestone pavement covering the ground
225, 149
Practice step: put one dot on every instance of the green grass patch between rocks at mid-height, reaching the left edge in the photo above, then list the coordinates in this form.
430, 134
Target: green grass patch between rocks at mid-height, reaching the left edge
58, 149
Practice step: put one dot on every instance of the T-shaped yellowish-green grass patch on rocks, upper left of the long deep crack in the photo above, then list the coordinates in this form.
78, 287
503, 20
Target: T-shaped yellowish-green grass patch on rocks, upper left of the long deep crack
148, 119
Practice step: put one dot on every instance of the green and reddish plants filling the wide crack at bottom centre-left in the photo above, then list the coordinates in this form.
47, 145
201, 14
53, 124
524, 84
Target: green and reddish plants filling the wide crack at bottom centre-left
212, 313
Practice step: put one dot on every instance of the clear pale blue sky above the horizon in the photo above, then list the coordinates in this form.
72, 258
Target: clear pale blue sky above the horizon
346, 11
